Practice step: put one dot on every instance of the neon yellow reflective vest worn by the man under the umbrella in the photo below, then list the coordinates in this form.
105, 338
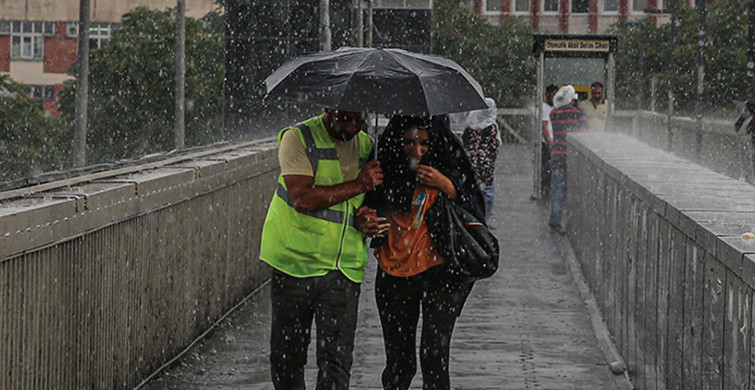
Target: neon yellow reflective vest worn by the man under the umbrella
312, 243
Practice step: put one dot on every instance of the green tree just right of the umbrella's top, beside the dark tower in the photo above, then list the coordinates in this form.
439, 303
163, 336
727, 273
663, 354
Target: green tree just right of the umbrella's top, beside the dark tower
498, 57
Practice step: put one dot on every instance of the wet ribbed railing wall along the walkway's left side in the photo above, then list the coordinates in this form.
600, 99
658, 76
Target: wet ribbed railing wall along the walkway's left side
105, 277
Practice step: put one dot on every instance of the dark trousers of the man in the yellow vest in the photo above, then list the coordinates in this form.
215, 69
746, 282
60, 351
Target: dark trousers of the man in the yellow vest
332, 301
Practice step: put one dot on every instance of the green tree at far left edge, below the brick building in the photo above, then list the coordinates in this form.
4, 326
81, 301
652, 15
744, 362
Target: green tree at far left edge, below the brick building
30, 143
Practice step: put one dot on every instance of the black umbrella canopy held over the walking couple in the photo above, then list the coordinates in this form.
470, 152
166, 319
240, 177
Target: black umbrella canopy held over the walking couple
387, 81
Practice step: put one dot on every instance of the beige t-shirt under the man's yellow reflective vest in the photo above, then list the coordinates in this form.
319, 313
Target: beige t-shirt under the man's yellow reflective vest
293, 158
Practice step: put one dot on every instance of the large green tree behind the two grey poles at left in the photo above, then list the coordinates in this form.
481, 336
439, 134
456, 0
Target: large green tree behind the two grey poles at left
132, 88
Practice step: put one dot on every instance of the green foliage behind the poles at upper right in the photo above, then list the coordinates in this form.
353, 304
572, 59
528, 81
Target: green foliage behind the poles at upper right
645, 51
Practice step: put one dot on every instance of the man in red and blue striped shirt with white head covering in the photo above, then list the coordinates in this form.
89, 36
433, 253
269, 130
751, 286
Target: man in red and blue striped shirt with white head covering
565, 117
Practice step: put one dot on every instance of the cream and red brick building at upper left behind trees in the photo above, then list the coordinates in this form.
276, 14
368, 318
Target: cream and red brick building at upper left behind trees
39, 38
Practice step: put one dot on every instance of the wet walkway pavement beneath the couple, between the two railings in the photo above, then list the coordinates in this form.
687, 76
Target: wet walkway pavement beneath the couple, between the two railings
531, 326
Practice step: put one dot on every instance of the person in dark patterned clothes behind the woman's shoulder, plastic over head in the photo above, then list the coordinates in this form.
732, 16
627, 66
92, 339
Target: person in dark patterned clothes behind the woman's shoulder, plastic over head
481, 140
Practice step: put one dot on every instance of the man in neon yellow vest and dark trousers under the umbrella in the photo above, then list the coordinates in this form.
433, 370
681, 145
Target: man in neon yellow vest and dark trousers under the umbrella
314, 240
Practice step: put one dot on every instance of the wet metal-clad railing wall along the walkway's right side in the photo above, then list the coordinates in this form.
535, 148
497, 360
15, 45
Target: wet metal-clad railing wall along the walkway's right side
666, 247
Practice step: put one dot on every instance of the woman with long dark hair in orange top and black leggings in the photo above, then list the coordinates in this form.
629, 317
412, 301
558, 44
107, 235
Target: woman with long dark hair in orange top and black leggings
421, 160
